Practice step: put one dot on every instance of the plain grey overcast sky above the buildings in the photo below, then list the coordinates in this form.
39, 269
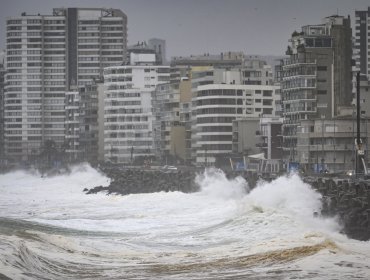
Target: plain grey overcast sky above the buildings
204, 26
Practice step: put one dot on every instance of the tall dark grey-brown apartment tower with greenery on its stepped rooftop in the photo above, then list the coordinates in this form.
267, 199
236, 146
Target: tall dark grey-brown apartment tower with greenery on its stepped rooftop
316, 78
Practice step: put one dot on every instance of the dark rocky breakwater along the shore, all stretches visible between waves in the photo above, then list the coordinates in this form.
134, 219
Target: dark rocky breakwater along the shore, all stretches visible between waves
346, 198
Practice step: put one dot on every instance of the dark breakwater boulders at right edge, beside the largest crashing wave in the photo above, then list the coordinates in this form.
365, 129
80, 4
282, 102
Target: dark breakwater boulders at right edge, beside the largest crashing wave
349, 200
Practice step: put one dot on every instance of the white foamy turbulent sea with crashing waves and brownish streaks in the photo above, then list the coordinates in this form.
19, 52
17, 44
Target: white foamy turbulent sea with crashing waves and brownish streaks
50, 229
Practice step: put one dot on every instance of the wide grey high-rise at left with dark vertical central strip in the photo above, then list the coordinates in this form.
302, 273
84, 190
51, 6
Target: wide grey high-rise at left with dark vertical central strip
46, 54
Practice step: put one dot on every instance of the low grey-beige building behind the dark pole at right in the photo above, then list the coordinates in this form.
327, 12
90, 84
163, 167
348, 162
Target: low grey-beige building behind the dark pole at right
329, 144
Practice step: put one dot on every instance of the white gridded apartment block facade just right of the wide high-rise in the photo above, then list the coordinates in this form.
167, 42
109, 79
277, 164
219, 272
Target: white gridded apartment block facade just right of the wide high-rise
128, 110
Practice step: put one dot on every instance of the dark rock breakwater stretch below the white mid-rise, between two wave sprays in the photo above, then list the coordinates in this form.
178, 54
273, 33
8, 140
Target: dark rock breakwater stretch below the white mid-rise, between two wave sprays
132, 181
